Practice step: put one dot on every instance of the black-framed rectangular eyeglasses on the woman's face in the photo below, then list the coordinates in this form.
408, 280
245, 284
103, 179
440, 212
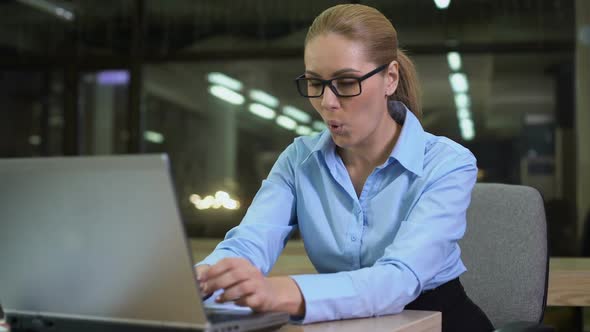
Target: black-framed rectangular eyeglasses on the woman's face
344, 86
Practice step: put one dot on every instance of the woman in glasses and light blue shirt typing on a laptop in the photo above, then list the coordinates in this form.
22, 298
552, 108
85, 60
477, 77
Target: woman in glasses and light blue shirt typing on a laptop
380, 203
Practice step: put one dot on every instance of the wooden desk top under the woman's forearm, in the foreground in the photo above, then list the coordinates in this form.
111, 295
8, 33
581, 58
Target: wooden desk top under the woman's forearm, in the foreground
407, 321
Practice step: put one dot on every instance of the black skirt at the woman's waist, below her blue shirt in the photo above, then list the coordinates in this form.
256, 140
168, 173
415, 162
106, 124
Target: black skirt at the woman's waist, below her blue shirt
459, 313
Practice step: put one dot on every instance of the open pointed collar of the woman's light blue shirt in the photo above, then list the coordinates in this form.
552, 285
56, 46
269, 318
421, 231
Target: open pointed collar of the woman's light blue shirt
409, 149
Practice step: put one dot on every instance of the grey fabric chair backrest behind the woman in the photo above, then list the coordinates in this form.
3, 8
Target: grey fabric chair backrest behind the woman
505, 251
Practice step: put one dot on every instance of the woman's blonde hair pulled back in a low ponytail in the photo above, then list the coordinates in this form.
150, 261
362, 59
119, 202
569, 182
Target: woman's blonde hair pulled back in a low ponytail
370, 27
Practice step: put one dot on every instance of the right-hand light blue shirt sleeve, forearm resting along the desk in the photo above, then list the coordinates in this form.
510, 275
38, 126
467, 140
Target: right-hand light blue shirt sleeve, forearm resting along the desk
417, 254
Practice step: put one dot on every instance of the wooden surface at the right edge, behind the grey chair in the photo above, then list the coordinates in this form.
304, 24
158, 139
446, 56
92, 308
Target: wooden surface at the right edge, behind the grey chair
569, 282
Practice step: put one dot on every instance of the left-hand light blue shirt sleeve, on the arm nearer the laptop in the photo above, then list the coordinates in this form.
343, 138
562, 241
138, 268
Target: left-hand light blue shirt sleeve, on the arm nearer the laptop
269, 221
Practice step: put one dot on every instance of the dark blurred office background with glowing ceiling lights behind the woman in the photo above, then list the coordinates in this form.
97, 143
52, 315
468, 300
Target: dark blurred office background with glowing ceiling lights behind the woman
211, 84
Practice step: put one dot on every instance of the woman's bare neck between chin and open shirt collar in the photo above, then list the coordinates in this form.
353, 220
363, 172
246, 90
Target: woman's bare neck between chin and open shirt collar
374, 150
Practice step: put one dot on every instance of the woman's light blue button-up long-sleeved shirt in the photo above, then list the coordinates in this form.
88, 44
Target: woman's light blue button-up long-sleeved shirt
374, 253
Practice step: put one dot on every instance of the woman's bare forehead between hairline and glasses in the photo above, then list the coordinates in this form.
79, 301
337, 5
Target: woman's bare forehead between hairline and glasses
327, 53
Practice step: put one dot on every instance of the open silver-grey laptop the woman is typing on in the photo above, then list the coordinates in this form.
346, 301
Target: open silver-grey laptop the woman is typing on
95, 243
